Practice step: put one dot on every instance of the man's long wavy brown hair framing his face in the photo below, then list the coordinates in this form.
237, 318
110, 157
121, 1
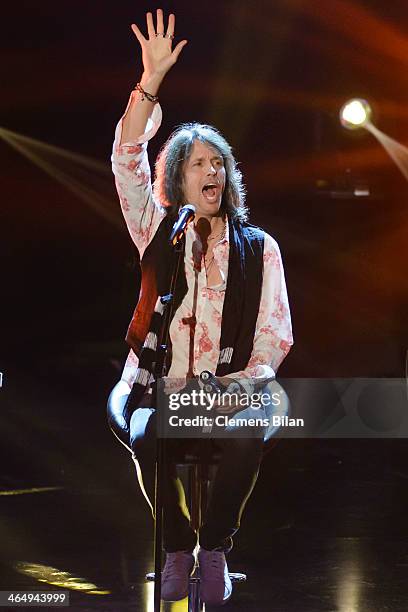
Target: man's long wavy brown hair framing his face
168, 184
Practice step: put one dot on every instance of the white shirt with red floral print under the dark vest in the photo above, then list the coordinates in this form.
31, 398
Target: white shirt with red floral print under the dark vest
196, 326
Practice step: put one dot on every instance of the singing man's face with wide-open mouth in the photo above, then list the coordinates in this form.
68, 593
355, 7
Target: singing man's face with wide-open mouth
204, 179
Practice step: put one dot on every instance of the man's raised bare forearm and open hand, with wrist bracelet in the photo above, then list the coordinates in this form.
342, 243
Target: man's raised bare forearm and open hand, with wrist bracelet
158, 57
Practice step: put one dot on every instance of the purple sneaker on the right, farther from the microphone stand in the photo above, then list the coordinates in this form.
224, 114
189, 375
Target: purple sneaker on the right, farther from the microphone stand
215, 583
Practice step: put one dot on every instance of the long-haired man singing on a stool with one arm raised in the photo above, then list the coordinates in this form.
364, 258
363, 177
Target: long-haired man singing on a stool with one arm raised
231, 314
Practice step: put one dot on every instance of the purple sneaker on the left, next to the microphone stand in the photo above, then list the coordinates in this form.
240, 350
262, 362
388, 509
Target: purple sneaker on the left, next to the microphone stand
176, 574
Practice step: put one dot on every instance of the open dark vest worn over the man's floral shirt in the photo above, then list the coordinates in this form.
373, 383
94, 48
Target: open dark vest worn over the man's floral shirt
242, 294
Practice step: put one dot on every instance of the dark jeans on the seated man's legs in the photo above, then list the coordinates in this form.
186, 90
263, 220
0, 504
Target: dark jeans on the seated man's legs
234, 481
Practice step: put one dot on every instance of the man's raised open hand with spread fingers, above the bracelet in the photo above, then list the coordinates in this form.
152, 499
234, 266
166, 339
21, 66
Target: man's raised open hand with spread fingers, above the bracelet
157, 53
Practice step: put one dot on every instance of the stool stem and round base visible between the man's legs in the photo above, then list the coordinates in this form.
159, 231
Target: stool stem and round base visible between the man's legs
198, 480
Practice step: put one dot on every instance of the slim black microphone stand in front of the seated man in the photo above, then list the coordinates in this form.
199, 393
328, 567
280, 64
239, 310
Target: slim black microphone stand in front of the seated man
160, 371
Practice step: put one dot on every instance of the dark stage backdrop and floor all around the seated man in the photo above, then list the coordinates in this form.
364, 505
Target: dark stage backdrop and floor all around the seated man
272, 77
